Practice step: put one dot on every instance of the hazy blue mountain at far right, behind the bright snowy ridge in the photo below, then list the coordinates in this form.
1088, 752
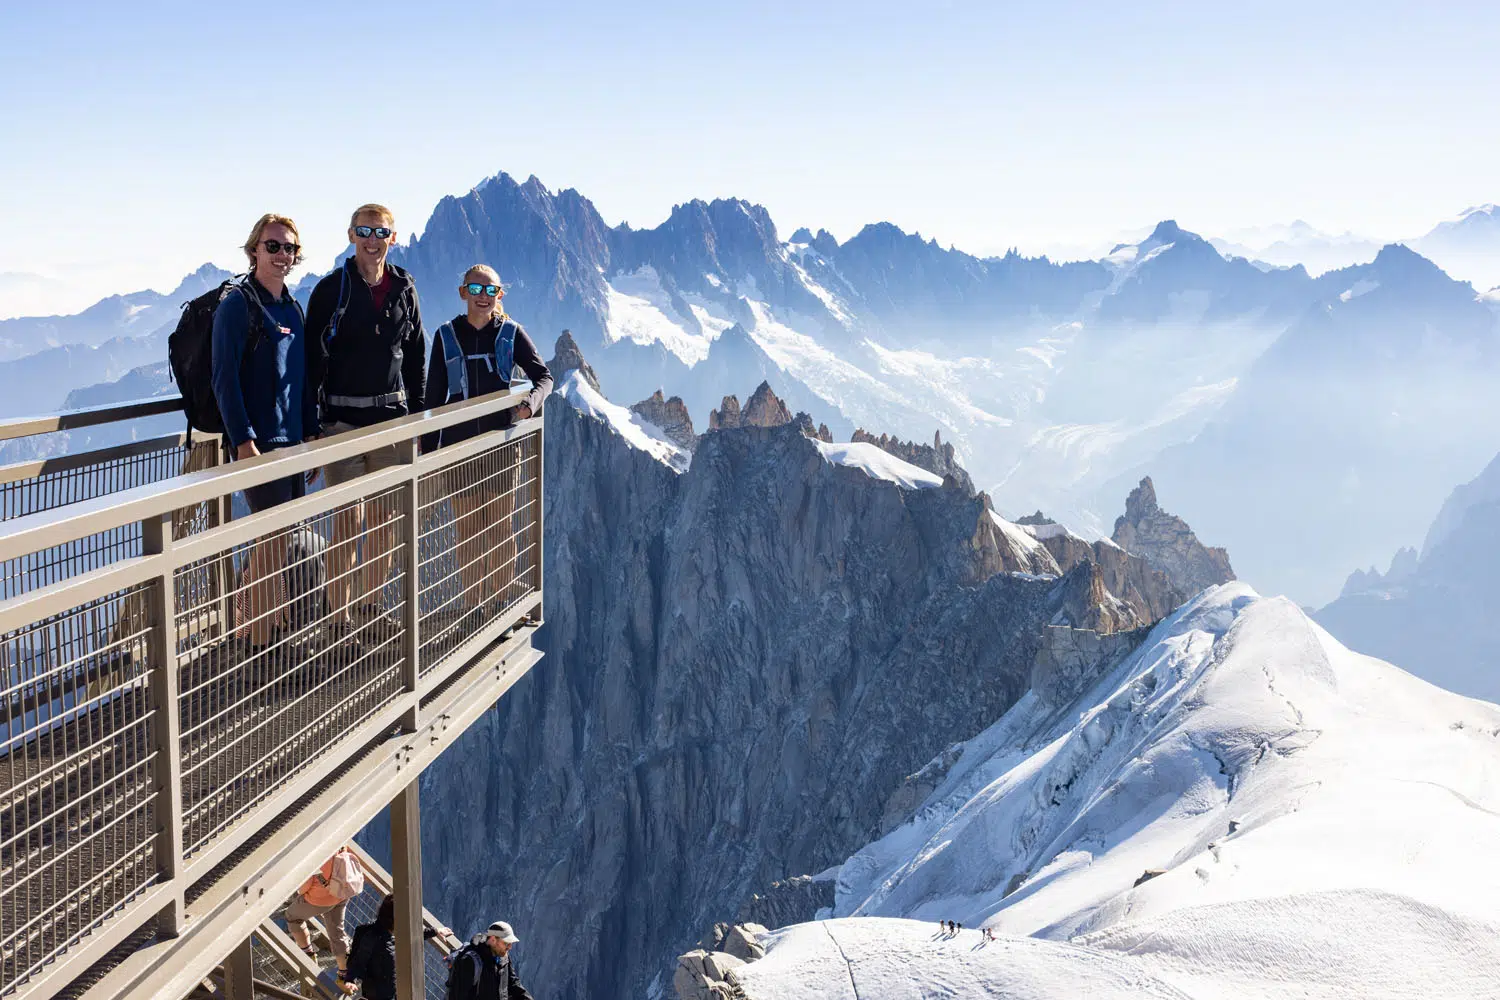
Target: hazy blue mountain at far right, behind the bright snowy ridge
1346, 434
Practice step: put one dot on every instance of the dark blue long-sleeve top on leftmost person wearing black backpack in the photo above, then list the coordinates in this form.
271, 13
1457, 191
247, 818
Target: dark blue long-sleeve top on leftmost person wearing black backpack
266, 397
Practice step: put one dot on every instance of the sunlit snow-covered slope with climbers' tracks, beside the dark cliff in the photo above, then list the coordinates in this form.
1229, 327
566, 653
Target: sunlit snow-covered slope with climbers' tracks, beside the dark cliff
1321, 822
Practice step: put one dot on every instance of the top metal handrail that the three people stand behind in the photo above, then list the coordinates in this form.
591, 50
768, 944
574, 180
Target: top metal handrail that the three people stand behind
43, 530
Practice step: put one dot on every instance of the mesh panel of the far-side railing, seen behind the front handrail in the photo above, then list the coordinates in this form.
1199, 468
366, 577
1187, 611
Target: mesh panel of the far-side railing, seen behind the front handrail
98, 479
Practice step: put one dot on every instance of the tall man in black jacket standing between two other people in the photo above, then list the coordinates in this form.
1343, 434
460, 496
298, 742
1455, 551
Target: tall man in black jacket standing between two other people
368, 356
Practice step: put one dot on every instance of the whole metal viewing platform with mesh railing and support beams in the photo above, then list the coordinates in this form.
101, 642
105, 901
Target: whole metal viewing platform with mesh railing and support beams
181, 749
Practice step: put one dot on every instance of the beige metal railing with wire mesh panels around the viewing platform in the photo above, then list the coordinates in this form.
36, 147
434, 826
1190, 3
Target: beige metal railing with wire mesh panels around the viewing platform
172, 683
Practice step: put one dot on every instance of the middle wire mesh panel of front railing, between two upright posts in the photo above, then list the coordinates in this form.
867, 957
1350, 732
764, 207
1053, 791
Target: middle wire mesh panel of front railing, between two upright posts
316, 651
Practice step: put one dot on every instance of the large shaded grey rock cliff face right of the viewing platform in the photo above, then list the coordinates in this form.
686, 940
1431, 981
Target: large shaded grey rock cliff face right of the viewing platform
743, 663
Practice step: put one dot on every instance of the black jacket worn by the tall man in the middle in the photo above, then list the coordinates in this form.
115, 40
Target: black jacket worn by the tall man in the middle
370, 355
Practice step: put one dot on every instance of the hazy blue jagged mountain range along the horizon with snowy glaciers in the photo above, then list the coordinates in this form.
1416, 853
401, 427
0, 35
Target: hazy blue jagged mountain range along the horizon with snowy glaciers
1060, 386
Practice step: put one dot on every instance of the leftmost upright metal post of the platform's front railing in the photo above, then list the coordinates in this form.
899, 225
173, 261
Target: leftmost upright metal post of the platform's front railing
157, 540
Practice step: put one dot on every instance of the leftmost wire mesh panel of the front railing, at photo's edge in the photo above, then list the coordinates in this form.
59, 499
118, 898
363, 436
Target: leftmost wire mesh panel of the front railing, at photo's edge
77, 776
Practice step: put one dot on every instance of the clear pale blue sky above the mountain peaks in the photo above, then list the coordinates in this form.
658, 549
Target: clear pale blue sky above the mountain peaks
142, 140
